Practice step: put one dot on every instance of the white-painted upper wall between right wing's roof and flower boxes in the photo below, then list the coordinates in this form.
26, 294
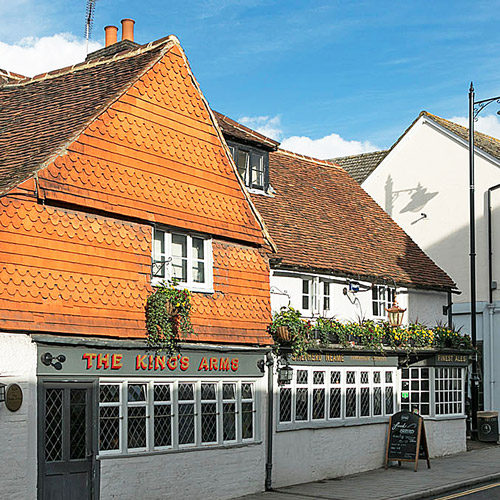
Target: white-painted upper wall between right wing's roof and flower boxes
426, 306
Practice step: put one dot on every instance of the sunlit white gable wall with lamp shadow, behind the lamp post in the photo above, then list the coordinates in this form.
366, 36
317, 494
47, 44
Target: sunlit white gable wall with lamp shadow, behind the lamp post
428, 172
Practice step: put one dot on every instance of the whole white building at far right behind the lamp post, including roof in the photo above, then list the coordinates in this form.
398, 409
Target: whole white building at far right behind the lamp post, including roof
422, 182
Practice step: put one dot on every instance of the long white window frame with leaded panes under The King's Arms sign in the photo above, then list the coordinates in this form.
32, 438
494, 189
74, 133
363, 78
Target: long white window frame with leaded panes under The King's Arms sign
174, 411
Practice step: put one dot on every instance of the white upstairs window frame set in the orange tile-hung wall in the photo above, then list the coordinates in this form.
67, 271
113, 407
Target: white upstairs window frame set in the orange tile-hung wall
190, 284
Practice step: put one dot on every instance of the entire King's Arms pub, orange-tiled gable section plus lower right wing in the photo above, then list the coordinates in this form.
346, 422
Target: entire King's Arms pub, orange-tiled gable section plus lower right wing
116, 176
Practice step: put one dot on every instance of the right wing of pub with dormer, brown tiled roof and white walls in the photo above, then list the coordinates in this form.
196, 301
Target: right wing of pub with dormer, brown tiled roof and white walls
341, 256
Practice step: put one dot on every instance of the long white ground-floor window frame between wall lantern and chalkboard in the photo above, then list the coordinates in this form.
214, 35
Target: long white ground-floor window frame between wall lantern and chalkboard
356, 419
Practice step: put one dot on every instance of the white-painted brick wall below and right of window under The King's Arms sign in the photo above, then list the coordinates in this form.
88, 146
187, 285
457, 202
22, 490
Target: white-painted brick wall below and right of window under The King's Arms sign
202, 474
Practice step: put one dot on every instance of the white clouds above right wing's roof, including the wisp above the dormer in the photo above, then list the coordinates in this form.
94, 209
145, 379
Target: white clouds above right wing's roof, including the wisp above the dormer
330, 146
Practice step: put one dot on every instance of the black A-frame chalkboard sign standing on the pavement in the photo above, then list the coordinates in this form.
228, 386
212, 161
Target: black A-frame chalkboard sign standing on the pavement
406, 435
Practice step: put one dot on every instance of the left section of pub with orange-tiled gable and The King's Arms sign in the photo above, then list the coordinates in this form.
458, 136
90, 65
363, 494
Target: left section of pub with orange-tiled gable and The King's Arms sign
115, 176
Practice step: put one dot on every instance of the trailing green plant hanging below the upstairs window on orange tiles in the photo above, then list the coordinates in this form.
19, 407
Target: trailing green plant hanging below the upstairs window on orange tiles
167, 316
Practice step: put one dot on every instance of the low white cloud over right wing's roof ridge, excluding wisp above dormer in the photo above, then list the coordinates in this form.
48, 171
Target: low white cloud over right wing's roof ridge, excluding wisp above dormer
330, 146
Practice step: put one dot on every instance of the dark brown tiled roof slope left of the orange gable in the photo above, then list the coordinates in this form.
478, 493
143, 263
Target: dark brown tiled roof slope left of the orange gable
39, 117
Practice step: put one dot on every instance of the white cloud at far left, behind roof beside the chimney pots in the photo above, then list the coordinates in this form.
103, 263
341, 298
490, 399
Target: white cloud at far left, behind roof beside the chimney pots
32, 56
